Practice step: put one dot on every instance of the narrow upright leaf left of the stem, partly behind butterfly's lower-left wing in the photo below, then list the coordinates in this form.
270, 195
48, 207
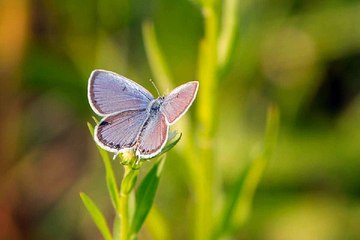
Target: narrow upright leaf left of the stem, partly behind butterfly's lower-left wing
110, 176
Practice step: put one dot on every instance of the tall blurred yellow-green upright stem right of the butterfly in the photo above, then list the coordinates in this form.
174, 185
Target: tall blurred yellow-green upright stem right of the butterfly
205, 183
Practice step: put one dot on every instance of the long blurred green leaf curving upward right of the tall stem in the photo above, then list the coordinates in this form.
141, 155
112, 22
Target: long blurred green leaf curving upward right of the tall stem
238, 206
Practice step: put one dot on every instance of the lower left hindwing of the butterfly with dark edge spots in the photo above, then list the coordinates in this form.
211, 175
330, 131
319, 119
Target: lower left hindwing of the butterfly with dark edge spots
121, 130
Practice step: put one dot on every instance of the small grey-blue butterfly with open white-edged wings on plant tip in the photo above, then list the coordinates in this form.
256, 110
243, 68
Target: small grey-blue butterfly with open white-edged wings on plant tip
132, 117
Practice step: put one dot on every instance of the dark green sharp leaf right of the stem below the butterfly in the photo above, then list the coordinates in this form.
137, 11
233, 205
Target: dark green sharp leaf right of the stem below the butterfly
145, 195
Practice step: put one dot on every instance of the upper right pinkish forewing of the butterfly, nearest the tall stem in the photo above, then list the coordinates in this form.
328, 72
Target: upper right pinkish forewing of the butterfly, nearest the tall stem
179, 100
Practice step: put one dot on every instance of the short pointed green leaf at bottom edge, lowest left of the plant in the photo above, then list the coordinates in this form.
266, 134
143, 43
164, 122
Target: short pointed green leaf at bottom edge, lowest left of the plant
97, 216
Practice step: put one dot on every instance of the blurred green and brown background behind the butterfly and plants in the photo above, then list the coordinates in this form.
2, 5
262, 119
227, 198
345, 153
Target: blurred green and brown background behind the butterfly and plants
302, 55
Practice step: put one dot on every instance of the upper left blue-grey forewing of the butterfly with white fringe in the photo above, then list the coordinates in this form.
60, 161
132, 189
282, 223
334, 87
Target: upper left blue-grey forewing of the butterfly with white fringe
109, 93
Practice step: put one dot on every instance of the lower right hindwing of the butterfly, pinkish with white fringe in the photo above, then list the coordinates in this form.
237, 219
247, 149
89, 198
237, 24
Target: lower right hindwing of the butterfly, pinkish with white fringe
153, 135
